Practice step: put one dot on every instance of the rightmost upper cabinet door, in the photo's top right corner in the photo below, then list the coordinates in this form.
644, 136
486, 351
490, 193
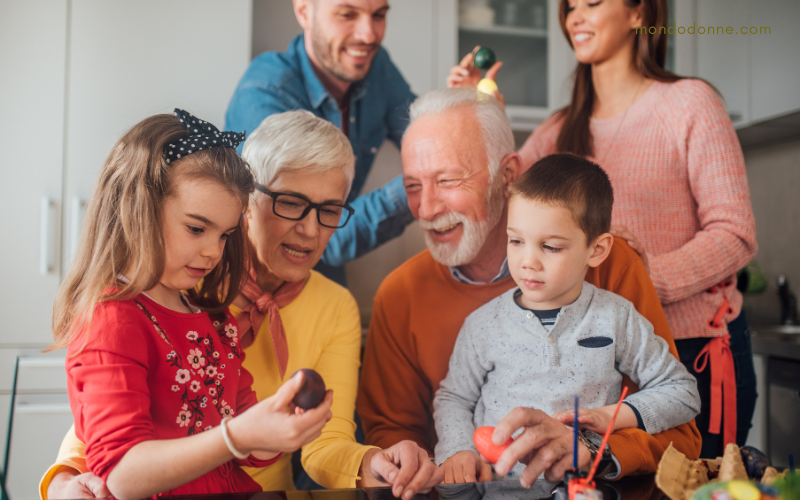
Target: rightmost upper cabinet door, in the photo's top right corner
776, 58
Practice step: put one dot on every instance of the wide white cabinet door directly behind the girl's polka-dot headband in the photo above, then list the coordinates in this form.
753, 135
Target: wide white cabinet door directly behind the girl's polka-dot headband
130, 60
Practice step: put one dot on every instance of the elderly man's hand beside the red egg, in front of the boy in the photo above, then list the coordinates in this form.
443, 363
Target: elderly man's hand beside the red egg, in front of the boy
545, 445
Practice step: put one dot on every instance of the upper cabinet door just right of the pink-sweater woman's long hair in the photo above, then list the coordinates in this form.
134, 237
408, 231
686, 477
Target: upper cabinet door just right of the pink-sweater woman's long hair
724, 59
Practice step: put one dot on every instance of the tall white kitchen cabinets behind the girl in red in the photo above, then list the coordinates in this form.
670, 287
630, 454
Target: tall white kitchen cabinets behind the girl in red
76, 75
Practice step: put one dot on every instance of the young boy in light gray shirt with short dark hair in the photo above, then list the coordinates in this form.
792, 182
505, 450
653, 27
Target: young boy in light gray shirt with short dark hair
555, 336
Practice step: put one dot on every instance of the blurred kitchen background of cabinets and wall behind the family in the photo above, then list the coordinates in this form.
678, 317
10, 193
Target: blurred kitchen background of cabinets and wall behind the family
76, 74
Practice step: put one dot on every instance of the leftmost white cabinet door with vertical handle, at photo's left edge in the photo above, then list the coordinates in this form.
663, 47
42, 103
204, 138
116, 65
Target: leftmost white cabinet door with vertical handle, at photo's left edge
32, 65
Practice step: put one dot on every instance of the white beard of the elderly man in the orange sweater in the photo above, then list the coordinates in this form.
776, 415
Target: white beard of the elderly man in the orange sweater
474, 234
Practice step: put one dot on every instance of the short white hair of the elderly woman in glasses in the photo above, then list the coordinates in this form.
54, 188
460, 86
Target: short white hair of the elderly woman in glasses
296, 140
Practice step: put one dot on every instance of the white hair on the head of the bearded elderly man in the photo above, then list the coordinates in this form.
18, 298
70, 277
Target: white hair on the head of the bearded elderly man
497, 135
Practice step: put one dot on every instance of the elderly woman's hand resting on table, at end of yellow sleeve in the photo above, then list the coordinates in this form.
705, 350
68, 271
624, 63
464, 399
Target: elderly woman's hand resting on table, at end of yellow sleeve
405, 467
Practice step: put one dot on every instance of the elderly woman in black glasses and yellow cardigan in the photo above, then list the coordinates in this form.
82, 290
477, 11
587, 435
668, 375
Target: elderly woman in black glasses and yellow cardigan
291, 317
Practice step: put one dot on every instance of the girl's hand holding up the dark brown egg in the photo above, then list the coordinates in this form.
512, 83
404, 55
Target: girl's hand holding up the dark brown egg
276, 425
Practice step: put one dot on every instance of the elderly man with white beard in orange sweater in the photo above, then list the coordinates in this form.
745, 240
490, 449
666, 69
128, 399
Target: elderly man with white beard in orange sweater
458, 161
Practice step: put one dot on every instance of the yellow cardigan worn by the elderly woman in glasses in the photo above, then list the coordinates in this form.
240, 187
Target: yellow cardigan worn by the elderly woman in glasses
323, 329
